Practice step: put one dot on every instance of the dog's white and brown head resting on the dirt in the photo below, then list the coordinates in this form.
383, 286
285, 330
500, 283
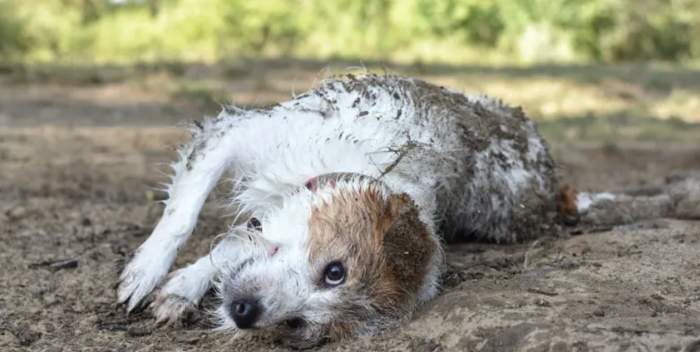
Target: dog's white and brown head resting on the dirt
339, 259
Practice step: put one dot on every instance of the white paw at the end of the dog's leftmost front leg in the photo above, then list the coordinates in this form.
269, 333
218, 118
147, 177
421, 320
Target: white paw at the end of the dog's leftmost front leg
142, 272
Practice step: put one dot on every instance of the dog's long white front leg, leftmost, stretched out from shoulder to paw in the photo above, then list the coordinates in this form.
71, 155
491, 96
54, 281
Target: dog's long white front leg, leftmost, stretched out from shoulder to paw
200, 167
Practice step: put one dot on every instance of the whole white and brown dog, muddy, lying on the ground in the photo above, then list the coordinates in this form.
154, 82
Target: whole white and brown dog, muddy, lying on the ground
350, 192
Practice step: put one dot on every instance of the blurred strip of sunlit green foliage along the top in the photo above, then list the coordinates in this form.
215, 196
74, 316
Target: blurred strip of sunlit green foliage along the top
404, 30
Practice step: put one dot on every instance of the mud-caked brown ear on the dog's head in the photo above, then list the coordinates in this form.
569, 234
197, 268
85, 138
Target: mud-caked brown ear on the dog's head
407, 244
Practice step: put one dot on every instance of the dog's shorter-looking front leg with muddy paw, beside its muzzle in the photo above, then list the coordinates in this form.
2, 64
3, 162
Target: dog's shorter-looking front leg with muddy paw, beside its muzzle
179, 298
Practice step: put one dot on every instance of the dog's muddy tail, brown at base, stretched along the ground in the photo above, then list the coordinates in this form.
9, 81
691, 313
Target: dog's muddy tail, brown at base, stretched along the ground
679, 198
